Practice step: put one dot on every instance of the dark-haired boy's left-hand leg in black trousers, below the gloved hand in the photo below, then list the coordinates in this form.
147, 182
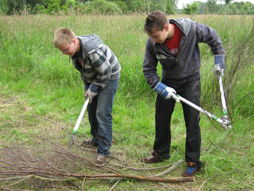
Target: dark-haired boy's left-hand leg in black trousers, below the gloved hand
164, 110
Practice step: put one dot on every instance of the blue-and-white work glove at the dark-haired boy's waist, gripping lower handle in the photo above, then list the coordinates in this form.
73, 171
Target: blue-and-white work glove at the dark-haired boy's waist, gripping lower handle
165, 91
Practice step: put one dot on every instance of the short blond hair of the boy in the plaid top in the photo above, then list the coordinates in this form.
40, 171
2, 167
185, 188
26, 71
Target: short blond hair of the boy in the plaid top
63, 36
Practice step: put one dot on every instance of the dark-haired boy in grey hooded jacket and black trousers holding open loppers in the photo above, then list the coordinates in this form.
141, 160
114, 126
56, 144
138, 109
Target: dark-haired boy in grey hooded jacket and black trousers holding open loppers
174, 43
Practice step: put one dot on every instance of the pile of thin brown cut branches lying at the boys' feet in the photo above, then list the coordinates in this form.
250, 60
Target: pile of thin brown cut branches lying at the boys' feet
49, 161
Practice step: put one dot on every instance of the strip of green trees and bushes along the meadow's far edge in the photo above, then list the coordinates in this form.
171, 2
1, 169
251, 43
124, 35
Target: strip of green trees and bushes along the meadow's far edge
122, 6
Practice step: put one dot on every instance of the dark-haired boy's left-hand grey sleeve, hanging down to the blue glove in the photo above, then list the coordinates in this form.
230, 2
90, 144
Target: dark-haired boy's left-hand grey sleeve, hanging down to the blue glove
150, 64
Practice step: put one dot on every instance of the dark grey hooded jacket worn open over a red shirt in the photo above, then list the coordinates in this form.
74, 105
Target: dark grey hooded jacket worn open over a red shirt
185, 66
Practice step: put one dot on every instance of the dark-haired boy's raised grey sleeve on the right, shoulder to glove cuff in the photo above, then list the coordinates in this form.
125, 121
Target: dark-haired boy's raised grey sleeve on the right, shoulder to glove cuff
209, 36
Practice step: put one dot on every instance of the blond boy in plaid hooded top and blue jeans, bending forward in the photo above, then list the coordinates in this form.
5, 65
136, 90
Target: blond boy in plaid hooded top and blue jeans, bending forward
100, 72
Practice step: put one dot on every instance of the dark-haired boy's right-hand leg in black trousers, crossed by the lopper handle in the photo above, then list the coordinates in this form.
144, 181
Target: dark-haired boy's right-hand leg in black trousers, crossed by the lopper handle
191, 92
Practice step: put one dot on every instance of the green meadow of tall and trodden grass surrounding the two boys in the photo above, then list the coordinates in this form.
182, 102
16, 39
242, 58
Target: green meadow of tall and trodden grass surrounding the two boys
40, 87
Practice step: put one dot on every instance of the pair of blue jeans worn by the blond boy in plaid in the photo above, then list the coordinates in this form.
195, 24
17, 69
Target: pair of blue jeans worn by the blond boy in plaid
100, 117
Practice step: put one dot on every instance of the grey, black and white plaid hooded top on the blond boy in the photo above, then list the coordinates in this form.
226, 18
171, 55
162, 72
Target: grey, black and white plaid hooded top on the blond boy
96, 66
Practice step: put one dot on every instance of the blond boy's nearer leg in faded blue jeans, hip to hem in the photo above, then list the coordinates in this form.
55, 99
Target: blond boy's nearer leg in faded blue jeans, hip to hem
105, 101
